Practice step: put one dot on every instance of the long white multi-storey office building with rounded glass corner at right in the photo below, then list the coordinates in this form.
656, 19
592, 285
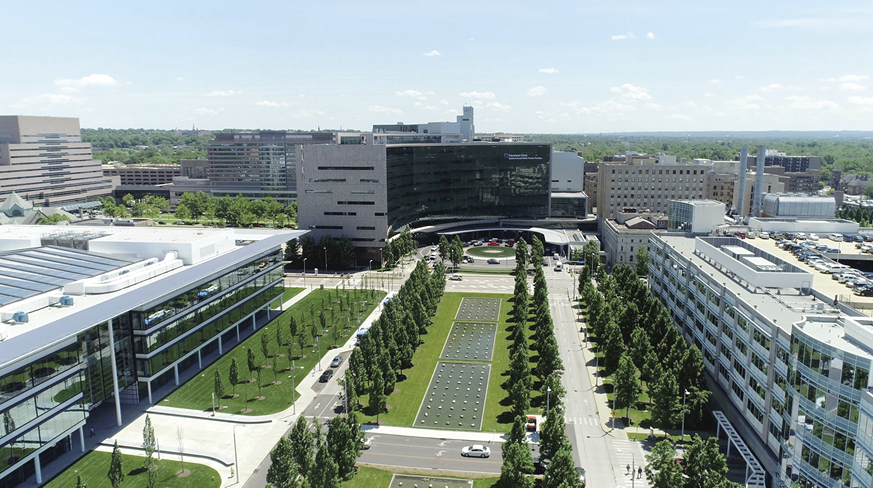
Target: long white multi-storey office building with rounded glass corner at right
790, 369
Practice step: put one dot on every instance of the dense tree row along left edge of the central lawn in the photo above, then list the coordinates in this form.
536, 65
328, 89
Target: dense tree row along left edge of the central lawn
388, 346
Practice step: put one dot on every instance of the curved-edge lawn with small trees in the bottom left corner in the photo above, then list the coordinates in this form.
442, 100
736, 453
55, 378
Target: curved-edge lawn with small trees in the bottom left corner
94, 466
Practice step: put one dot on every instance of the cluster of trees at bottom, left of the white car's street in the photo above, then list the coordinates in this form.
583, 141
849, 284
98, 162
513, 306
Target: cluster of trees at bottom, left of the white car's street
323, 460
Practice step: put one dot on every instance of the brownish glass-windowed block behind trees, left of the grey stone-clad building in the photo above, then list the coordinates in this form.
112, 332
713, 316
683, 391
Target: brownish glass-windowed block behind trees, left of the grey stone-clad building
258, 164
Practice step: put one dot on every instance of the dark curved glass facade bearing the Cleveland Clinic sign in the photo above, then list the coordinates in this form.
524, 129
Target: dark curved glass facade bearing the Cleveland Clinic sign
445, 183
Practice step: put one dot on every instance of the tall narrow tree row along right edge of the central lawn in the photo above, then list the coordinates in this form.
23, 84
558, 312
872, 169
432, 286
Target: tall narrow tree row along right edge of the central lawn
554, 444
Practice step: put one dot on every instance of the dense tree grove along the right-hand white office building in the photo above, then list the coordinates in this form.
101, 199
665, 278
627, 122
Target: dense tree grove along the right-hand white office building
640, 345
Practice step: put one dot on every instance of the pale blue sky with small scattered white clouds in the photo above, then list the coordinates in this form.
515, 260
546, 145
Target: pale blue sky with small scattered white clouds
526, 67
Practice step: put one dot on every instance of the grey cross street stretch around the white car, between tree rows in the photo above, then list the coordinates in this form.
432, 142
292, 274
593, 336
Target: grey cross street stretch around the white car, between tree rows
428, 453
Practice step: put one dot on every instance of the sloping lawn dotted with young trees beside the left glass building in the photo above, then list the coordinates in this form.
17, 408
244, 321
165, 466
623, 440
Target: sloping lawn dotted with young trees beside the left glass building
197, 392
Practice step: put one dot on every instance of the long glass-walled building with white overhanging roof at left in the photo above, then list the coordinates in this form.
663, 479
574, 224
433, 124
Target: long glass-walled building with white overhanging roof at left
108, 315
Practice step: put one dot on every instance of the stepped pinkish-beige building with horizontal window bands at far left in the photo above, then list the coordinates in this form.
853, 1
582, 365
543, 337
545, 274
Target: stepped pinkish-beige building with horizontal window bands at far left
44, 160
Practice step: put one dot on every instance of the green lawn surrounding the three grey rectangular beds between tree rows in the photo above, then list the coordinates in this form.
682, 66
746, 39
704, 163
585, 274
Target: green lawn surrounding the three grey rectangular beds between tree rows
407, 397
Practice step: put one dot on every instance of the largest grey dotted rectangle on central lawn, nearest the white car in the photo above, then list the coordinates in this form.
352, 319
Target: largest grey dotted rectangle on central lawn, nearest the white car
455, 398
